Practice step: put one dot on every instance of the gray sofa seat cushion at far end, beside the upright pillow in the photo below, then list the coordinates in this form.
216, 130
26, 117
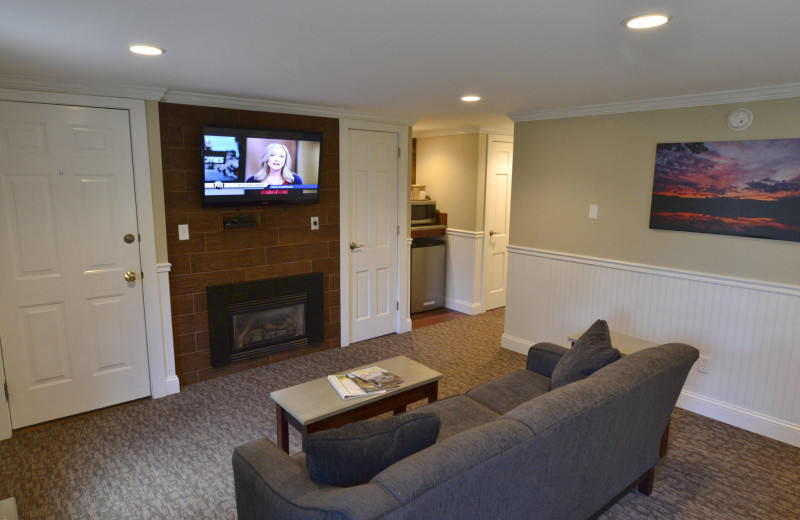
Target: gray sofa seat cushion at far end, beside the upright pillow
511, 390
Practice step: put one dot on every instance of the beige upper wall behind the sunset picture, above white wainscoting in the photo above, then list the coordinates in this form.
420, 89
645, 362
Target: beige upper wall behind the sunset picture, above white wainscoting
561, 166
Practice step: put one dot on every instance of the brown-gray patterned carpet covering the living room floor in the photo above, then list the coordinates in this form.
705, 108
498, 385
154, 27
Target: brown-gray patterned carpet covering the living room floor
170, 458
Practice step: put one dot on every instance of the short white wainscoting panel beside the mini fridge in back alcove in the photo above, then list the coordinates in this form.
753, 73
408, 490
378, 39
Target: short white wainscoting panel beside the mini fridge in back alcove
463, 271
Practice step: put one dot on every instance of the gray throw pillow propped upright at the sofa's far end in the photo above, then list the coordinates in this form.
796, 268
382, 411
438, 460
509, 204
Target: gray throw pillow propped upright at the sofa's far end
589, 354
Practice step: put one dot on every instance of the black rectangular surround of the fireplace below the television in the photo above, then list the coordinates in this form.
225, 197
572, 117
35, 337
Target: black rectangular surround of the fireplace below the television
221, 297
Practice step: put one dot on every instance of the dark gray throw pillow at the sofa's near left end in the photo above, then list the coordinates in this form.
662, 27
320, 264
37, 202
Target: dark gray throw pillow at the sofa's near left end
358, 451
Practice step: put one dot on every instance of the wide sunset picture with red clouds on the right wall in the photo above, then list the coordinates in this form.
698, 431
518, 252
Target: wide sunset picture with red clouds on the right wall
744, 188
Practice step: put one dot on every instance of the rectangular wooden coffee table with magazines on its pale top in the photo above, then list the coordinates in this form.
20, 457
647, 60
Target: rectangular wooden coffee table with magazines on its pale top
315, 405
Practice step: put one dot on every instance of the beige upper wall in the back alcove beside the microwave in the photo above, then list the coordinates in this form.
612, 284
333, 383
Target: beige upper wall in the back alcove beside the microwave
450, 168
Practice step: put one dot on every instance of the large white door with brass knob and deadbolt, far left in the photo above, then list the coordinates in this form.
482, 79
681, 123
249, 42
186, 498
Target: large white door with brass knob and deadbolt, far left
71, 326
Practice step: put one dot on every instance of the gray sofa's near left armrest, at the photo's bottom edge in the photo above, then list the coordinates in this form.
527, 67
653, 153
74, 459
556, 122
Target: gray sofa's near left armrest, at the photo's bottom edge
271, 485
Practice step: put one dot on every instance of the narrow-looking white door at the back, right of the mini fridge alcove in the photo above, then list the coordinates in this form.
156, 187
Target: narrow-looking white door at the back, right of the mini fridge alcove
499, 156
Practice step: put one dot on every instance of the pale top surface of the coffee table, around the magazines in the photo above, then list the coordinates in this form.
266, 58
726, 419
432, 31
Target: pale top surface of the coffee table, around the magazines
316, 400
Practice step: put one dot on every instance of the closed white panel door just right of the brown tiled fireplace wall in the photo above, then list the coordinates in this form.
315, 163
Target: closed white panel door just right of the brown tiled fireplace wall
373, 233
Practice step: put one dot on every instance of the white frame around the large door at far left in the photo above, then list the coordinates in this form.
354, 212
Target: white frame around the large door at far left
158, 314
